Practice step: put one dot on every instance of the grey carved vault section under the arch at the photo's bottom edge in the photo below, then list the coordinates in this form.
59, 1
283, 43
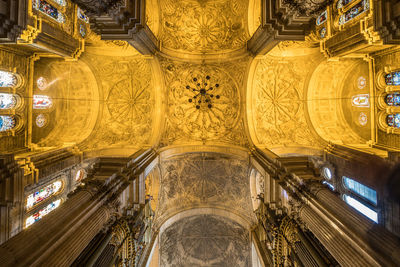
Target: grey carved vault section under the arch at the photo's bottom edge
205, 240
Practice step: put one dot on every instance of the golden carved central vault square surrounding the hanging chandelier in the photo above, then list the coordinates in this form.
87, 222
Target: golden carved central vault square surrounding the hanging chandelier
185, 122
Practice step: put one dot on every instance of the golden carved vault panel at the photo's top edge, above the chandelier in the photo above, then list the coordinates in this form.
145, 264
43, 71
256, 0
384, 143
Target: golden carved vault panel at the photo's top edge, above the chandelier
203, 25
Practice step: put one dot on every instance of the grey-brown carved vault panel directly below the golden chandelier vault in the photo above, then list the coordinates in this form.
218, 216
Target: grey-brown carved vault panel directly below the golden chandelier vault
204, 180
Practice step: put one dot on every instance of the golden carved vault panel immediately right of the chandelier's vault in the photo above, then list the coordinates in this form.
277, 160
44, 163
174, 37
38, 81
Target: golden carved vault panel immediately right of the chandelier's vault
279, 117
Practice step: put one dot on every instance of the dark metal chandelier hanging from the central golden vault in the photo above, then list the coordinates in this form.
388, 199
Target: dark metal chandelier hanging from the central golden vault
203, 93
